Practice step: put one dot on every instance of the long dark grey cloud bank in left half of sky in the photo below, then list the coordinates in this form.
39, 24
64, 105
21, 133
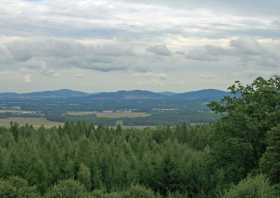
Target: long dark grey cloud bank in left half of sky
47, 55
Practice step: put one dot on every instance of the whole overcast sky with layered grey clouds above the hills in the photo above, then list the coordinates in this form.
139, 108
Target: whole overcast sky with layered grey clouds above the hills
159, 45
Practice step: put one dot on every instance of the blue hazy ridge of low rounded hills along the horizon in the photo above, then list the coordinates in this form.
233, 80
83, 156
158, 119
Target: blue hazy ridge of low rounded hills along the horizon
206, 94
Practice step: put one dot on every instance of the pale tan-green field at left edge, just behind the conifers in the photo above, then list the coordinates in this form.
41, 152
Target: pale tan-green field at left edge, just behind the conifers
36, 122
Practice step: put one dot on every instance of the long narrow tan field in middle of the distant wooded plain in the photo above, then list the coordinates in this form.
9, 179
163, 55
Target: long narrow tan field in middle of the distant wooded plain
111, 115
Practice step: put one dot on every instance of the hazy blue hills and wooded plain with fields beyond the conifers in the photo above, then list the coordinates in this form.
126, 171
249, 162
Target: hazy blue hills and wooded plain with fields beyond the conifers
156, 108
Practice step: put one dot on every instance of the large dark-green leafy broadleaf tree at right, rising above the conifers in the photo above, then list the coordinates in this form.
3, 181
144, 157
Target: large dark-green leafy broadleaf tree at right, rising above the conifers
239, 140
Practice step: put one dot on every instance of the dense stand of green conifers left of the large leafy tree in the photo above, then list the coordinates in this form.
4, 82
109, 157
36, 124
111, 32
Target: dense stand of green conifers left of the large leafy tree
165, 160
